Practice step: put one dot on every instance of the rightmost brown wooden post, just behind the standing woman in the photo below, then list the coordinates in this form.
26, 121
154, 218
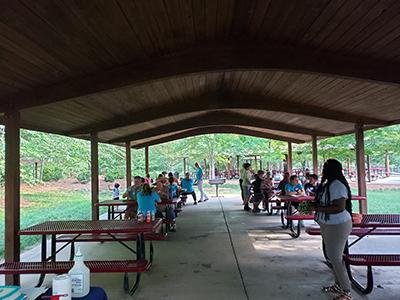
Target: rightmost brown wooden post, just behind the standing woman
360, 160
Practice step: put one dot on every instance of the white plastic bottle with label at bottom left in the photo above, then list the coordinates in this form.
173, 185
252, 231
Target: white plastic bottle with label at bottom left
80, 276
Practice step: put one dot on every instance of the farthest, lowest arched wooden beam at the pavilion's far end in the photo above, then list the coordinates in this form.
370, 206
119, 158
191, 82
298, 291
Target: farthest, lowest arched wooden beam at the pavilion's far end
214, 129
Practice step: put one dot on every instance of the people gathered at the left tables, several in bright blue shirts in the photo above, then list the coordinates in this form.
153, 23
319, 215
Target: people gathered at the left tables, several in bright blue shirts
147, 193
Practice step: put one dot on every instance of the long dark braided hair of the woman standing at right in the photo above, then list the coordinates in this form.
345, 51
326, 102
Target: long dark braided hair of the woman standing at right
332, 171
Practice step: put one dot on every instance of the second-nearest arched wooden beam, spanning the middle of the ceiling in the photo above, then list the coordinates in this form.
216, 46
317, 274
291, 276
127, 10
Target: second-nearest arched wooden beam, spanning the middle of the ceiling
225, 100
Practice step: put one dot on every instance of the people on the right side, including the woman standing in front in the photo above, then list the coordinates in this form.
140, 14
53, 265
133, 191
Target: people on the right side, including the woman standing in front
331, 206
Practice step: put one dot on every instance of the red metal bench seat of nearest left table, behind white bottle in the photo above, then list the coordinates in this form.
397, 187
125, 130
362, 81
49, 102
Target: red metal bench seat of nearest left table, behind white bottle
59, 267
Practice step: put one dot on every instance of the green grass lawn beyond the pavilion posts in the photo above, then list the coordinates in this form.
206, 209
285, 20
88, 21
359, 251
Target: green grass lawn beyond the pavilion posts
75, 205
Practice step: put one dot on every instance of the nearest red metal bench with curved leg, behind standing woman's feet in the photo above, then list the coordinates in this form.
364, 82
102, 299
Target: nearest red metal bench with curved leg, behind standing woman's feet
369, 260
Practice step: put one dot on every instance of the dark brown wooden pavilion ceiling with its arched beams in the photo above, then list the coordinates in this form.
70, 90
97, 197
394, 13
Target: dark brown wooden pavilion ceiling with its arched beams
153, 71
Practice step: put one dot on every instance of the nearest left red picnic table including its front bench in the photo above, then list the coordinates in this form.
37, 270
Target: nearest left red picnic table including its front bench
81, 227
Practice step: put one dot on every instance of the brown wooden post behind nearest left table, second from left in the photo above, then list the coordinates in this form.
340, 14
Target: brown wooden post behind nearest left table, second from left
94, 162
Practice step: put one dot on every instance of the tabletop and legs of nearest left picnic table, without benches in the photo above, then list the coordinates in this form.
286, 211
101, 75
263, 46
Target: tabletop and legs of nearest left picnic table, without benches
79, 227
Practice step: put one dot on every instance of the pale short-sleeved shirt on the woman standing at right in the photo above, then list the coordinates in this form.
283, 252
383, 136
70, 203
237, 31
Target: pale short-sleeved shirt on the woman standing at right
337, 190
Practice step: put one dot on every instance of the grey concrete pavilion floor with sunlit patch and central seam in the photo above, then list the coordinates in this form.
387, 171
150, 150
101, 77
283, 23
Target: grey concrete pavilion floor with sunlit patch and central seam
247, 257
